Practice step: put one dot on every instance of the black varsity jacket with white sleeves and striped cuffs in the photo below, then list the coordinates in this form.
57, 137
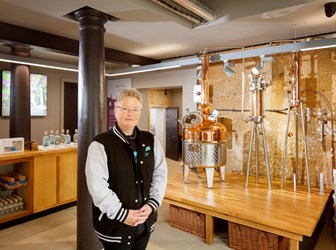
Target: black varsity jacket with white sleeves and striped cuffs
117, 182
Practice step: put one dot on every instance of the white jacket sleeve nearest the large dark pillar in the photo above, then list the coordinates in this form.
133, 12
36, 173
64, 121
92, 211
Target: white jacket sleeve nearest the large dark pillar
97, 176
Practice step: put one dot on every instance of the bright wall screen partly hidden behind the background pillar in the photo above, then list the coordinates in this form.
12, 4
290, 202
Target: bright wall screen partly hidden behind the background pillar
38, 94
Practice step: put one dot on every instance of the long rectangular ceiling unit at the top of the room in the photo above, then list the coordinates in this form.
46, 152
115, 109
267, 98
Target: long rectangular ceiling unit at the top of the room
192, 10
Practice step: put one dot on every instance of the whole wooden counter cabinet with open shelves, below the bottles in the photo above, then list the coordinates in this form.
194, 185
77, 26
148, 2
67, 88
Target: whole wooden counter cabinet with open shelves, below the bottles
35, 181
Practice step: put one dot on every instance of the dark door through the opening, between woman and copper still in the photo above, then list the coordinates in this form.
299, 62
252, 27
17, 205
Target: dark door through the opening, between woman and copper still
172, 133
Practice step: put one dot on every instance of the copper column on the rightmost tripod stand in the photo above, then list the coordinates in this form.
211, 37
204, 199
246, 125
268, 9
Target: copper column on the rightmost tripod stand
295, 79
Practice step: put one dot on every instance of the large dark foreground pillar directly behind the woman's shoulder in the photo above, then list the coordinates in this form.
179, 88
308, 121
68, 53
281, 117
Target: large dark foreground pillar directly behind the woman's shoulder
91, 112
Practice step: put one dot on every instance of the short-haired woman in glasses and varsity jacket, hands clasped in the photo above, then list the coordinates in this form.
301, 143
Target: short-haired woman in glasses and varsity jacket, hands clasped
126, 174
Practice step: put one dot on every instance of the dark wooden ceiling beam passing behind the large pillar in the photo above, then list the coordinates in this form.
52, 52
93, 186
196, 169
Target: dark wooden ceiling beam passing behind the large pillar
13, 34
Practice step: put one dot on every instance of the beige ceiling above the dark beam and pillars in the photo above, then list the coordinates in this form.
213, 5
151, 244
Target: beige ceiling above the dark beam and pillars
149, 30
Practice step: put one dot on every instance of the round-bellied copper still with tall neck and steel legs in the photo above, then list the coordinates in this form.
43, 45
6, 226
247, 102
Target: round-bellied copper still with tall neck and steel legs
204, 139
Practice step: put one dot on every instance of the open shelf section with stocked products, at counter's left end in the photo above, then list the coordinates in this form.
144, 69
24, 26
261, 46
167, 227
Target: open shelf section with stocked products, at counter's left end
15, 188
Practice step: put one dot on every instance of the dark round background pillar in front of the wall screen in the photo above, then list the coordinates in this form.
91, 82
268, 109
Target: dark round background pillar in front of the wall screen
19, 125
